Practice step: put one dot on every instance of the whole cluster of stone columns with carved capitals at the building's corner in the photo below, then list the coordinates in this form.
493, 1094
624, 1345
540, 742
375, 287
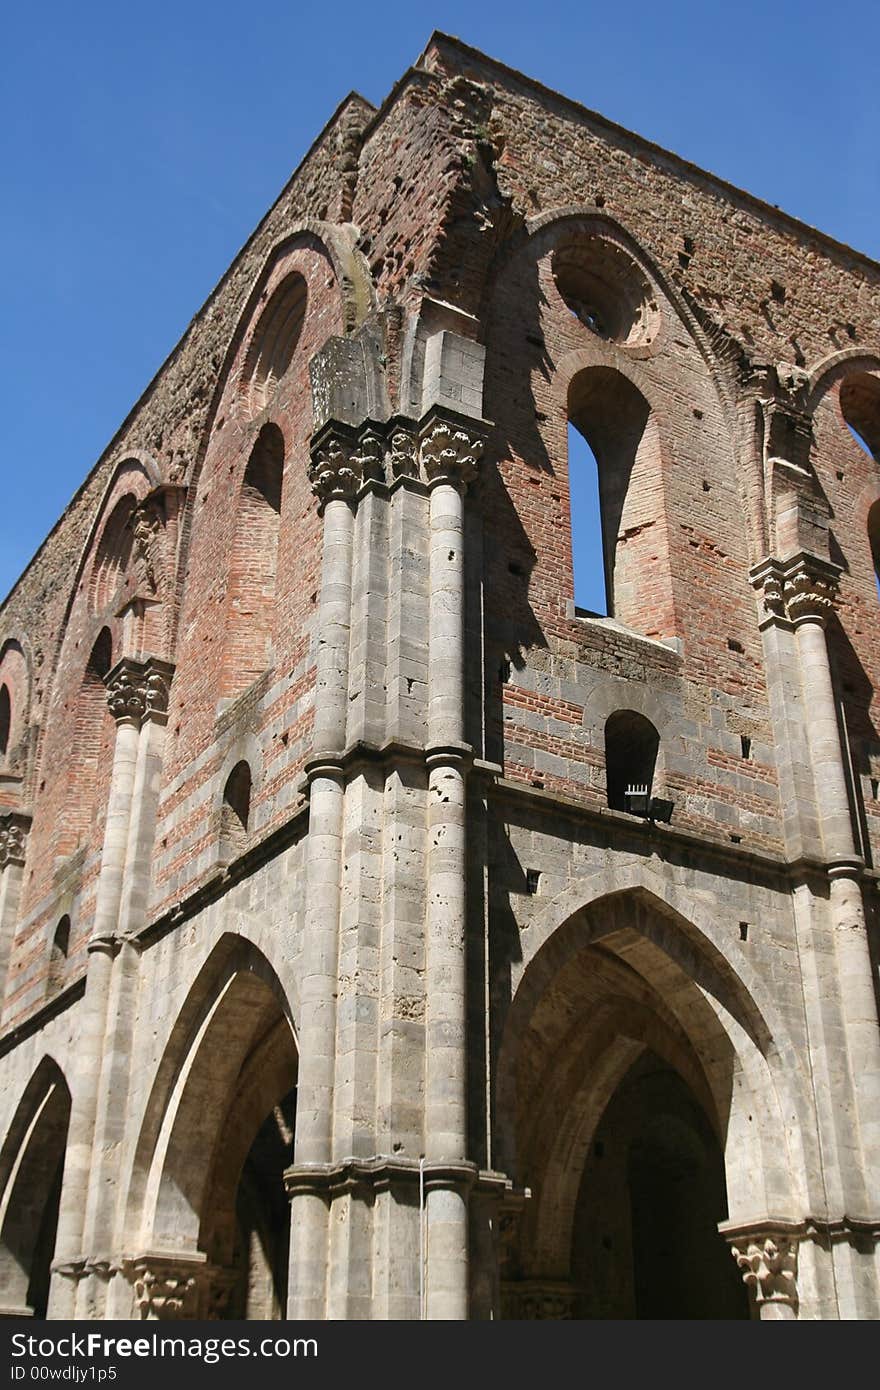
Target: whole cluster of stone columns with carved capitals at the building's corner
379, 1170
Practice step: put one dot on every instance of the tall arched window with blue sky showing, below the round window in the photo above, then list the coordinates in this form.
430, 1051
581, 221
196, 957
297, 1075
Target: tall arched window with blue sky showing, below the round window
614, 419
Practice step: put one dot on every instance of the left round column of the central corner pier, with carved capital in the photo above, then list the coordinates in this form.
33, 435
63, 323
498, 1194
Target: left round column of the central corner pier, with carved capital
336, 480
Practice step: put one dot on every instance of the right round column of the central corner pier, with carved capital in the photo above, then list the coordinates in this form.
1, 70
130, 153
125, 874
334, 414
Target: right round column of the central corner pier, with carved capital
450, 457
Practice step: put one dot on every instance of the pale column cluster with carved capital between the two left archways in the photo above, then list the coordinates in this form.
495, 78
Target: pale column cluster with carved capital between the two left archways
84, 1270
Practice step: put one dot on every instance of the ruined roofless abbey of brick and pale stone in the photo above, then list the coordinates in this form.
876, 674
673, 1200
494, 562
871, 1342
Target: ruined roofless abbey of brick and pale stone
383, 935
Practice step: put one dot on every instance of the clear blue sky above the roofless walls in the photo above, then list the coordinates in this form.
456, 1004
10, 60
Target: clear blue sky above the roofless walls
142, 144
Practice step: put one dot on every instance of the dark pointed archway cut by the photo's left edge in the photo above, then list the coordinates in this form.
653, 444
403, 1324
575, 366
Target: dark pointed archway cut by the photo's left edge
33, 1168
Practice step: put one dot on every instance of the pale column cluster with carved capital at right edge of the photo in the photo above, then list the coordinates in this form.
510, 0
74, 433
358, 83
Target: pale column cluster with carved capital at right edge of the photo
838, 976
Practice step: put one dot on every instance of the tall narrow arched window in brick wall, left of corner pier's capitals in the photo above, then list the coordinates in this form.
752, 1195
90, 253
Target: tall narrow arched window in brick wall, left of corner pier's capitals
255, 564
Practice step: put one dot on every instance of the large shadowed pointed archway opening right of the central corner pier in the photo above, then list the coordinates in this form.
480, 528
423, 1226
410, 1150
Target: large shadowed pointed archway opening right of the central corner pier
624, 1109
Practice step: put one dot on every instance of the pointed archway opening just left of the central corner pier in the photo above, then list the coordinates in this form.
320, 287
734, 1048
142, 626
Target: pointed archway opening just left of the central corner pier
218, 1142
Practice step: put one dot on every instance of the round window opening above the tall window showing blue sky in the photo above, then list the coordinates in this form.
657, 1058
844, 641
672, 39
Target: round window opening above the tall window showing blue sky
605, 291
